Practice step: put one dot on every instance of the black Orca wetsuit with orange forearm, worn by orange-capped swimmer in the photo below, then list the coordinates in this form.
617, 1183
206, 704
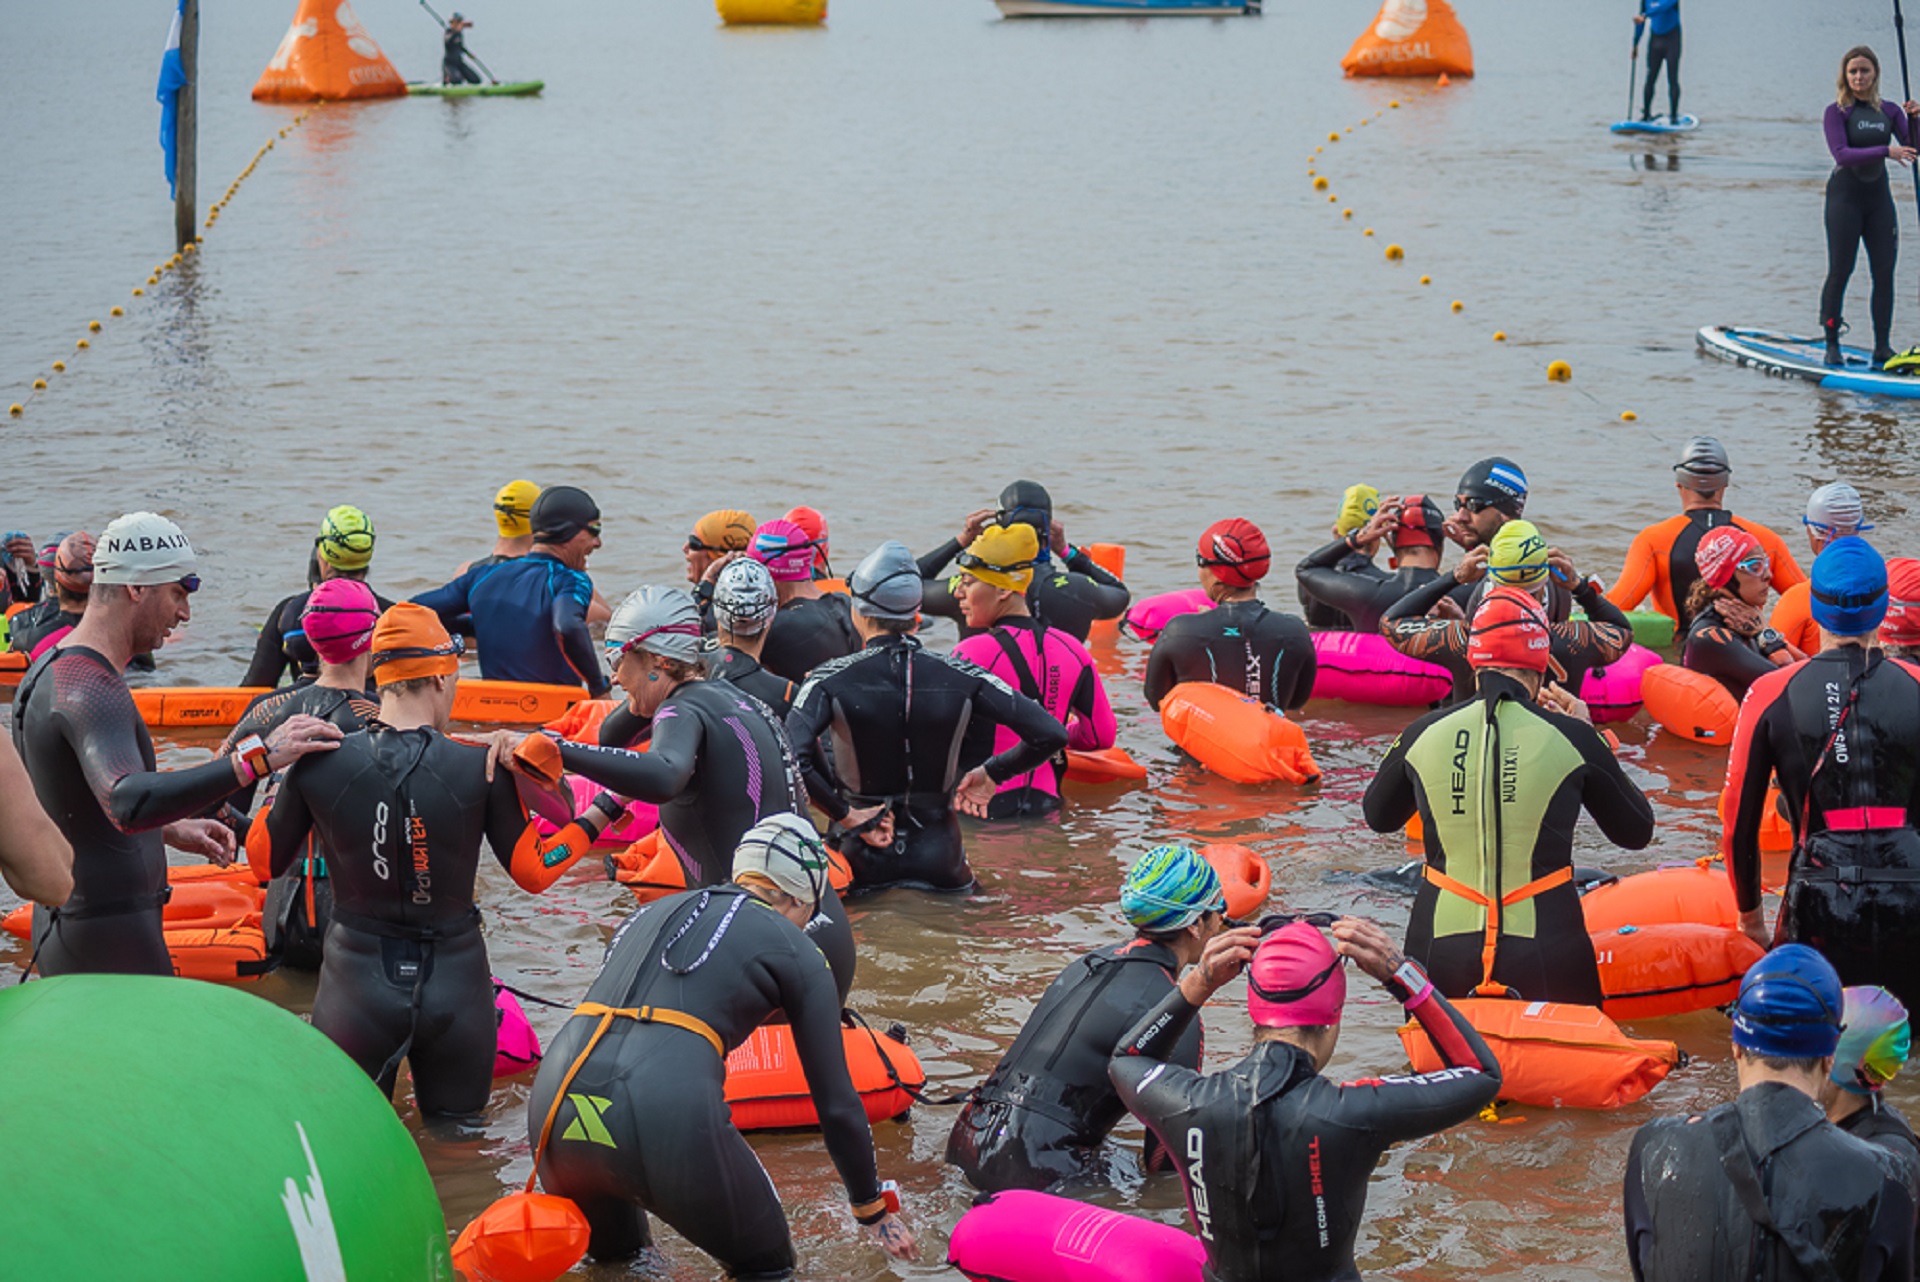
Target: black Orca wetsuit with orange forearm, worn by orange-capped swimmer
402, 815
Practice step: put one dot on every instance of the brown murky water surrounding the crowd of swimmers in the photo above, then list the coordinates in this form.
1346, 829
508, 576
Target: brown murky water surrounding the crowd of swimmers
886, 268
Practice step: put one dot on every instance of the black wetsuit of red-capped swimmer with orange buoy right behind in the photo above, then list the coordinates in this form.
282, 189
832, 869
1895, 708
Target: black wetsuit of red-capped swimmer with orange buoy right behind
1241, 646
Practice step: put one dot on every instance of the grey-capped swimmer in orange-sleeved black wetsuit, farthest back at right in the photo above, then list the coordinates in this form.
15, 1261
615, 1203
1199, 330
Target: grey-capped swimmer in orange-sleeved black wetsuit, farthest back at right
1662, 559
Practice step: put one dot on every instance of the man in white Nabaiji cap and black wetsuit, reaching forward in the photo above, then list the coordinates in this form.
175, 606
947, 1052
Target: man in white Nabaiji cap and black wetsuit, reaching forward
93, 763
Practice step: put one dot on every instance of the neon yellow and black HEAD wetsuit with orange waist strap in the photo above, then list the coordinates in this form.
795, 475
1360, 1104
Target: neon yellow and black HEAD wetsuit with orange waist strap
1500, 784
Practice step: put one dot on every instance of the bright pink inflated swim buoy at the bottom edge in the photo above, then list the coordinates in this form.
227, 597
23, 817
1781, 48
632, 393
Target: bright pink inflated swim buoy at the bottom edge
1026, 1237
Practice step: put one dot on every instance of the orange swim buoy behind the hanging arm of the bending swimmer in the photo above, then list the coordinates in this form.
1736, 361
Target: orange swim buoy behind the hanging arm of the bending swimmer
767, 1085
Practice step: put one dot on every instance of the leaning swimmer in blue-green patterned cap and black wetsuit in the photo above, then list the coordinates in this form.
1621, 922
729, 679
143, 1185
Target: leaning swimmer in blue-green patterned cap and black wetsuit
1045, 1110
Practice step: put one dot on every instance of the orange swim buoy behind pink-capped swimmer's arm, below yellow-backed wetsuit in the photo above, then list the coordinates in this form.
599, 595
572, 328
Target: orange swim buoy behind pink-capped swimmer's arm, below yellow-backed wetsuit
1554, 1055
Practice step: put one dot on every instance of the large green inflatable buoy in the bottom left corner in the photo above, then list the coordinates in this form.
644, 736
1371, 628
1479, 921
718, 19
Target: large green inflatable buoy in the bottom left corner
166, 1129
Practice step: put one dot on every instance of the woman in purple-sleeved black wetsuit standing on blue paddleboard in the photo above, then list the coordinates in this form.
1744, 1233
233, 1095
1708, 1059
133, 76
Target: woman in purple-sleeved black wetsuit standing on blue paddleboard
1860, 201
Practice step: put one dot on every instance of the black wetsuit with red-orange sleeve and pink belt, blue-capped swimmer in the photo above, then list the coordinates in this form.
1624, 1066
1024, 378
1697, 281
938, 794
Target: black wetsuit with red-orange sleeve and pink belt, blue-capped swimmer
1854, 886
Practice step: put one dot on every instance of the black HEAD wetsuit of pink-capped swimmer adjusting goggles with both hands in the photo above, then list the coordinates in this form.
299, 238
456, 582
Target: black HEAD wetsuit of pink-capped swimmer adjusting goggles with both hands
1274, 1156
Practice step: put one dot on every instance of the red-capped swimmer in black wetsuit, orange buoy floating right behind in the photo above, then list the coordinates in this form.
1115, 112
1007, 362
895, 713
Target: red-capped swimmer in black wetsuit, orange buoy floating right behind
1239, 644
